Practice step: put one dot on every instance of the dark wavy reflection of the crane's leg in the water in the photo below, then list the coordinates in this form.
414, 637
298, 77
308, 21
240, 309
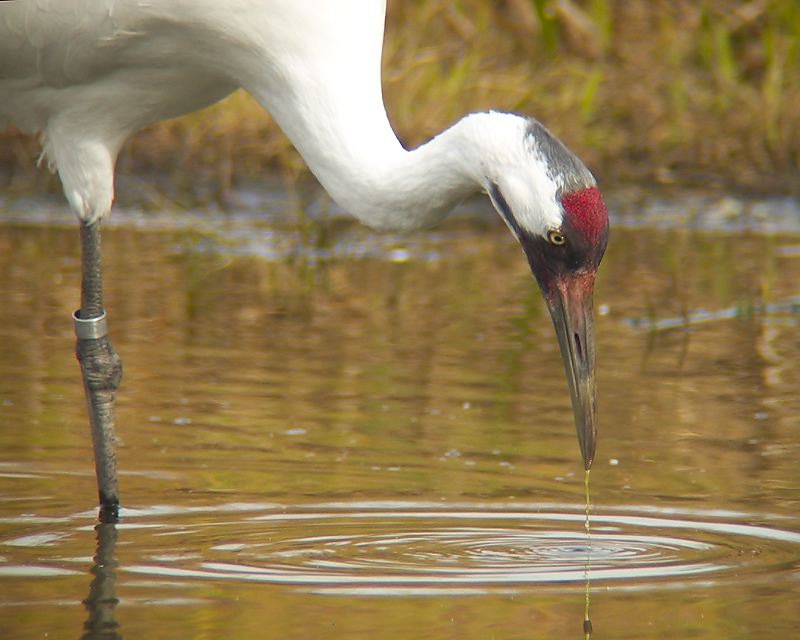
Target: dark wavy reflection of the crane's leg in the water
102, 601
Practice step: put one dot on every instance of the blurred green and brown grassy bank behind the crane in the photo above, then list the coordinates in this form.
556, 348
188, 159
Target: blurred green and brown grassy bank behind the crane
700, 93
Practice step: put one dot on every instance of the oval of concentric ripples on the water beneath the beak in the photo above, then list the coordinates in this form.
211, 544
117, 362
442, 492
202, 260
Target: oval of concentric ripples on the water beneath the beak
391, 548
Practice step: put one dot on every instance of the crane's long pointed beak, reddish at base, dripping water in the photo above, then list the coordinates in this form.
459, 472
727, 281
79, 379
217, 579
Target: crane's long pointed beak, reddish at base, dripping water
570, 304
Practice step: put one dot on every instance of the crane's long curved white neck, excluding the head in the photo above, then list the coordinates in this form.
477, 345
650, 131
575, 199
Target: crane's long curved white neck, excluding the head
323, 88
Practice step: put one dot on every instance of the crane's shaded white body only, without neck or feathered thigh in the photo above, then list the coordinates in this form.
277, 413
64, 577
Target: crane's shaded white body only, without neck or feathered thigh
112, 67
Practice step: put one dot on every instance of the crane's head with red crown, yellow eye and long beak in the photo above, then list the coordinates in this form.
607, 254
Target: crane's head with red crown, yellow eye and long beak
550, 201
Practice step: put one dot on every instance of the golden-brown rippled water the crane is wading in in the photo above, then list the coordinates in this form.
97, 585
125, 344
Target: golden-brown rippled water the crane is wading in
346, 435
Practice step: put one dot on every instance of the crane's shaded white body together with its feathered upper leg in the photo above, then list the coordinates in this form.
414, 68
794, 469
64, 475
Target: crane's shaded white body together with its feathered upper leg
88, 74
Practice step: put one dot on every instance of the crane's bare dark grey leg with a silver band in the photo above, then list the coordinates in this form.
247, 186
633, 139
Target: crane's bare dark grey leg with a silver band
101, 368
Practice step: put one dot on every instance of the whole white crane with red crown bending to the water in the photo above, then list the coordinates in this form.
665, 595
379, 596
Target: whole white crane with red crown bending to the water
86, 75
